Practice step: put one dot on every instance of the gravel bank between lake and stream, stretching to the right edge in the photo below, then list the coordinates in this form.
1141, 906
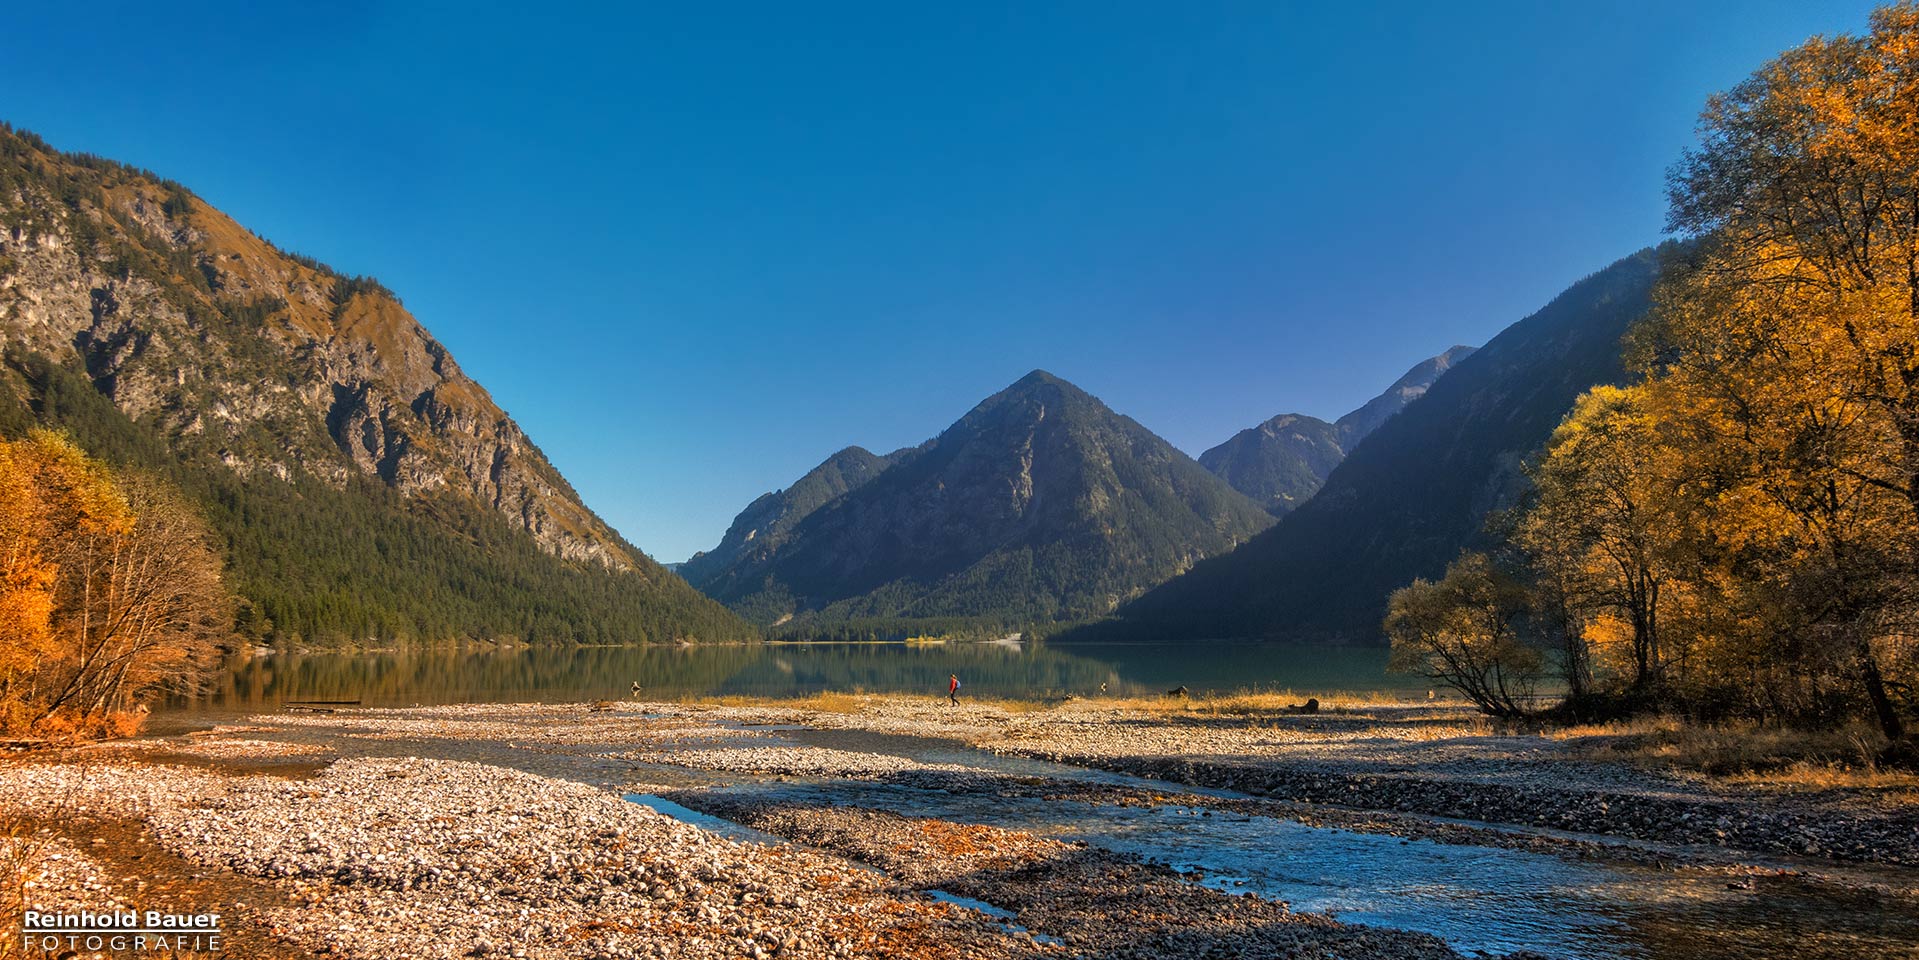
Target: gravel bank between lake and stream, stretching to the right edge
1421, 763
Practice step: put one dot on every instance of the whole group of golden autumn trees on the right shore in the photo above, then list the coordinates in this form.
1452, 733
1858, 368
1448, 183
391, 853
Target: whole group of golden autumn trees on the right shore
1738, 533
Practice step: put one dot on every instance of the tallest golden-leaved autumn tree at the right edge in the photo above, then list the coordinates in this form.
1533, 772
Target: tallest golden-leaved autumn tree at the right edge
1784, 350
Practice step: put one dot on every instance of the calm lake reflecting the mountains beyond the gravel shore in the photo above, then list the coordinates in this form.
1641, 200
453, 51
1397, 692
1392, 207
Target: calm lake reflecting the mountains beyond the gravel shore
429, 677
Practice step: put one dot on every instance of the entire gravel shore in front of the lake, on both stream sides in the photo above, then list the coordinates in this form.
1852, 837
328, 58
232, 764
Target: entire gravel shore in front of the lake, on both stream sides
343, 817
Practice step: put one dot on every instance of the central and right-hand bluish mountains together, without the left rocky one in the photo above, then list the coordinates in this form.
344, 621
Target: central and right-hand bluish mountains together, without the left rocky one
1043, 506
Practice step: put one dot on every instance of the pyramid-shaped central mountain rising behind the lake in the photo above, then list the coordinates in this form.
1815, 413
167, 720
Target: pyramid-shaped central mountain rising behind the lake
1037, 506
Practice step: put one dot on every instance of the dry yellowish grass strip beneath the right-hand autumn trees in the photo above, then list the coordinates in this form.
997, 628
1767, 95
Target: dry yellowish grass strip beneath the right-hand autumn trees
1747, 754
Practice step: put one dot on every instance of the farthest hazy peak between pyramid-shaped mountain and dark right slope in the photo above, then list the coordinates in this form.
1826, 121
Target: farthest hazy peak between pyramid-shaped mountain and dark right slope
1285, 460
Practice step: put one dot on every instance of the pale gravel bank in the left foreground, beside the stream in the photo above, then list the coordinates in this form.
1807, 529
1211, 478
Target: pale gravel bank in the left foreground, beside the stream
440, 859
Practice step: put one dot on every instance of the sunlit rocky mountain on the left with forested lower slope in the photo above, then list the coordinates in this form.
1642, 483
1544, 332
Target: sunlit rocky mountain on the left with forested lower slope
364, 485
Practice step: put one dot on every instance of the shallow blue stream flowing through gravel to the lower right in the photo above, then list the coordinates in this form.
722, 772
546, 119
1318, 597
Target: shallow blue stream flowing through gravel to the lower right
1475, 898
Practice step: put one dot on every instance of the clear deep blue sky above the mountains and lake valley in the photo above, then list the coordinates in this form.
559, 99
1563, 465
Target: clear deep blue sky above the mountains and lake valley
696, 249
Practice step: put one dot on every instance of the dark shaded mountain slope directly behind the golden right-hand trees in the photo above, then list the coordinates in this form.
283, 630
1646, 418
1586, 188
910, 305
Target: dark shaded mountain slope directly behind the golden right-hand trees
1415, 492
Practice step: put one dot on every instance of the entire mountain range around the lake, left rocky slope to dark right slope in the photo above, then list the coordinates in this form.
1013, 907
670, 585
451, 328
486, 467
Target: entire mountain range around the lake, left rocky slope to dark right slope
367, 491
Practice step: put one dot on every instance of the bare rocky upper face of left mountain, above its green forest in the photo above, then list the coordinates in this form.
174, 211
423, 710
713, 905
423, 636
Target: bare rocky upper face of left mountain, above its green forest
266, 360
